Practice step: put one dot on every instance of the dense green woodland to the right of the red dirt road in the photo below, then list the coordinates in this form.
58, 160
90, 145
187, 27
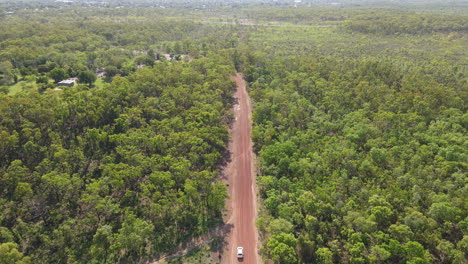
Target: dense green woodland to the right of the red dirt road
361, 152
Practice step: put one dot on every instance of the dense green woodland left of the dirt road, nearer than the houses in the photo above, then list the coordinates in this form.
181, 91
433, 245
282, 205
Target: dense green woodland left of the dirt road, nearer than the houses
115, 175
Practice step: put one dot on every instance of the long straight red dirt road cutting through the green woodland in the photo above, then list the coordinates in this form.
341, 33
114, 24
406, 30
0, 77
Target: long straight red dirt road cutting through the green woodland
242, 204
